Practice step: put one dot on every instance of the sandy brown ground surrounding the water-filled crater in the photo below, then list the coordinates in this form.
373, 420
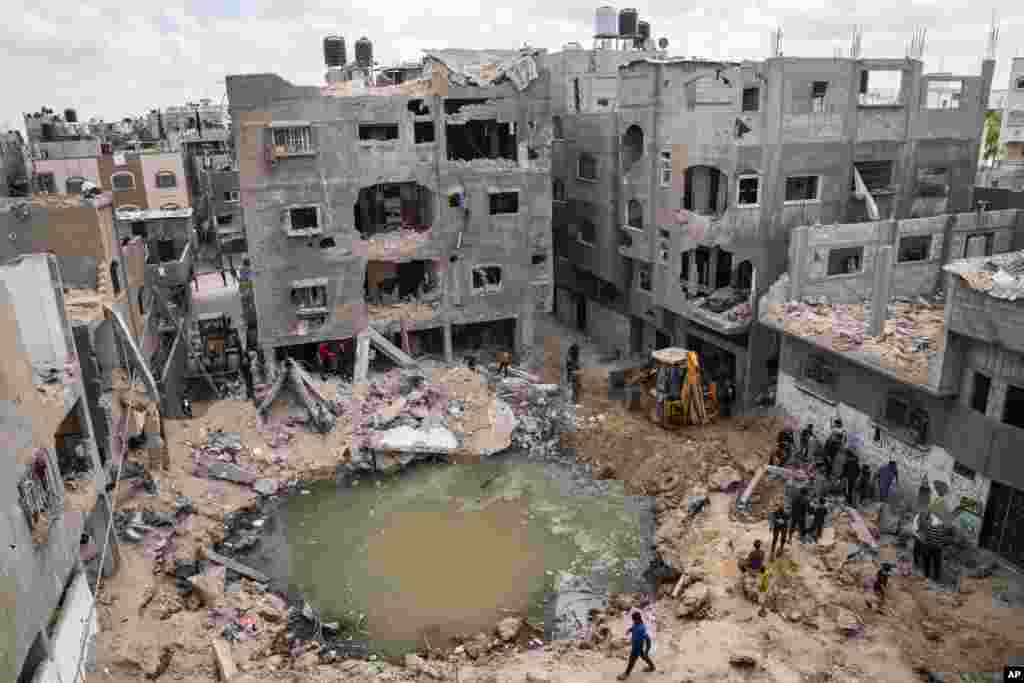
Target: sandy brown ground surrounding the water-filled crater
148, 630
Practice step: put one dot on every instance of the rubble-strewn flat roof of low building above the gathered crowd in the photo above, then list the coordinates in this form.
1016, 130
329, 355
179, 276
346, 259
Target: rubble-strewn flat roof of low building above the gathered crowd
914, 333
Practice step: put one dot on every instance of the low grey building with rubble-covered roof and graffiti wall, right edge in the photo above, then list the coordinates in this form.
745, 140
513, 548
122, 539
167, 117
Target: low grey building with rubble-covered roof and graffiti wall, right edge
935, 381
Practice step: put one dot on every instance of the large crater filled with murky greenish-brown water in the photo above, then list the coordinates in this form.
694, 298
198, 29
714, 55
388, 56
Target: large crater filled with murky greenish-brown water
439, 550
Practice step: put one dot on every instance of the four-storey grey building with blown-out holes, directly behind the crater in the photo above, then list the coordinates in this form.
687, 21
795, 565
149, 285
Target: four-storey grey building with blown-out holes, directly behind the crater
419, 211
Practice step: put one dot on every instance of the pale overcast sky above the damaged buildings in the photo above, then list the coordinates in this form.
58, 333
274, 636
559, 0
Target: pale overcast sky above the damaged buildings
109, 59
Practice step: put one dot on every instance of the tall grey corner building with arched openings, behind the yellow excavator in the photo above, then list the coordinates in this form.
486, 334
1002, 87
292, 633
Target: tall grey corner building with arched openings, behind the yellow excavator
676, 185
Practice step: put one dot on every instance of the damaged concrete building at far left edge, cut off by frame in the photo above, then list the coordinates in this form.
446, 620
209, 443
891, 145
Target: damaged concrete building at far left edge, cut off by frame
57, 505
